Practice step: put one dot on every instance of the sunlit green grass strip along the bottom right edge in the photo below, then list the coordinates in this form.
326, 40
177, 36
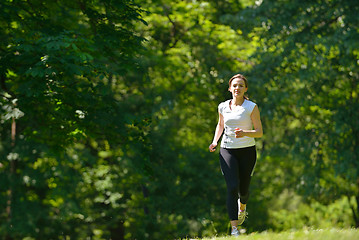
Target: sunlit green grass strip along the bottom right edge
322, 234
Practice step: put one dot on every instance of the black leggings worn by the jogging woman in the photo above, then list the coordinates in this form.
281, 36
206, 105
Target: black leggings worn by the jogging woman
237, 166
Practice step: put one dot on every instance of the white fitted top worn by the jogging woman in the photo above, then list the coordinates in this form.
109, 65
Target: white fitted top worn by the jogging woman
238, 118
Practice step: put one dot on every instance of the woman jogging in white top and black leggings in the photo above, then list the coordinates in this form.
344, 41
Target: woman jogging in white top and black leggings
239, 121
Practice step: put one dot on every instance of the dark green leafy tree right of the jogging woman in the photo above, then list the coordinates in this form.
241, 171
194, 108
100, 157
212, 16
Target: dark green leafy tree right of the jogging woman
307, 64
